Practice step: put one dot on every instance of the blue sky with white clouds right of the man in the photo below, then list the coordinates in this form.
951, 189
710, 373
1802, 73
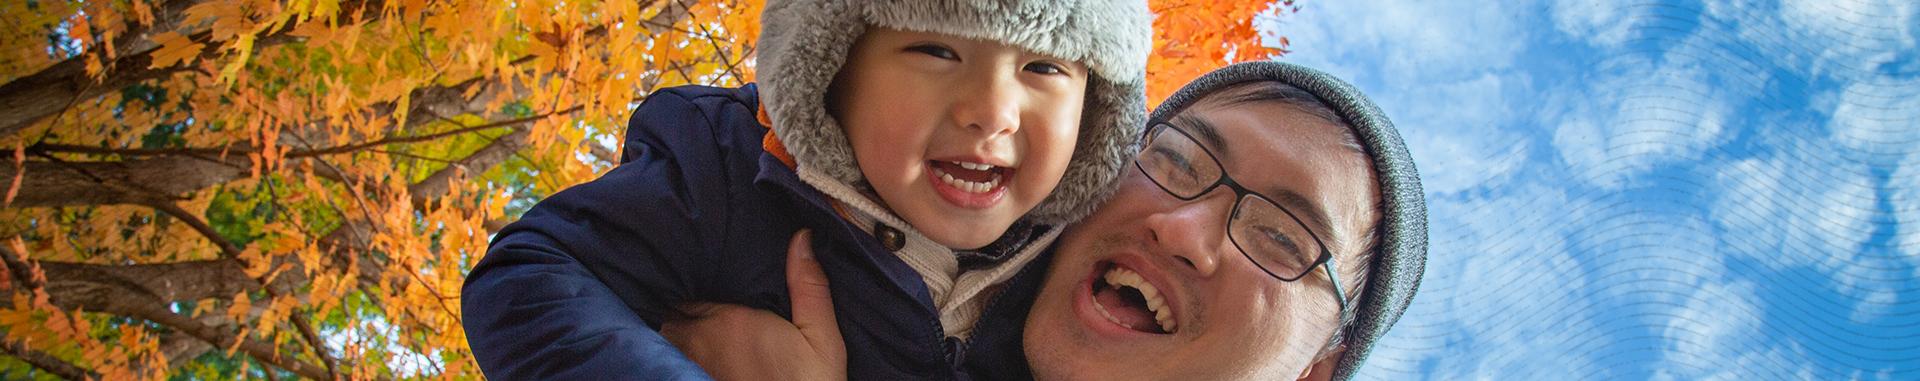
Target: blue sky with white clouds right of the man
1648, 190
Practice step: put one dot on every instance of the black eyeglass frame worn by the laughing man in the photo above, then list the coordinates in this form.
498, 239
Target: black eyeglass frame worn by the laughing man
1239, 197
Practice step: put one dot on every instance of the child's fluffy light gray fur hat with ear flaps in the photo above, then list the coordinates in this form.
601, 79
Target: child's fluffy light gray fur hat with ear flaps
804, 45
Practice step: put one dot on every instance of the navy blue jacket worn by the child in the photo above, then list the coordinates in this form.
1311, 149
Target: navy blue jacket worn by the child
700, 213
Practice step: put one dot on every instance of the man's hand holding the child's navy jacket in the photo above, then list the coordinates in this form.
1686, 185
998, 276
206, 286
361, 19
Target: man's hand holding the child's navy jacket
742, 343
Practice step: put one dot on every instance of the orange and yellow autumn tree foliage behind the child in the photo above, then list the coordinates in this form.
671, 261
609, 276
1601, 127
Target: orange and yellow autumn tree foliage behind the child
297, 190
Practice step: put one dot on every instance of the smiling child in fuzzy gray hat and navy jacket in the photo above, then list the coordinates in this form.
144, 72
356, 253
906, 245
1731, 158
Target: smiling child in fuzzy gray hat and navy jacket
930, 147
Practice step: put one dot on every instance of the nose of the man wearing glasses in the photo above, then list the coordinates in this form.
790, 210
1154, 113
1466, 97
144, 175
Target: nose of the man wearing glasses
1195, 232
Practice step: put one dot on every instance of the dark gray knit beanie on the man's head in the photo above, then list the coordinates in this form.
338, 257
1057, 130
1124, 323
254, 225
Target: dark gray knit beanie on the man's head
1401, 257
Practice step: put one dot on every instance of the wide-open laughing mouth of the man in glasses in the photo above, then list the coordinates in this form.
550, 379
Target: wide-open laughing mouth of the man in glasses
1130, 301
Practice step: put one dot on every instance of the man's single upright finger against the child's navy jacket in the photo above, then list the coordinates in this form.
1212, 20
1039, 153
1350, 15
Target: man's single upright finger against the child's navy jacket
813, 305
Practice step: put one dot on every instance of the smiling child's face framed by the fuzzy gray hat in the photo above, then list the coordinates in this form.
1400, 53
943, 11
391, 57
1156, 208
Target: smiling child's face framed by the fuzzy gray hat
959, 138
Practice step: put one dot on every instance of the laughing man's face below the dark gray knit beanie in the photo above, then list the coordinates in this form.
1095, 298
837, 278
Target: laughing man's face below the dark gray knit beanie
1230, 320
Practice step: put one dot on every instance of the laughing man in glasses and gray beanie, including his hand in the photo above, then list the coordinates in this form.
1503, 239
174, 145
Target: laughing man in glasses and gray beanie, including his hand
1272, 228
